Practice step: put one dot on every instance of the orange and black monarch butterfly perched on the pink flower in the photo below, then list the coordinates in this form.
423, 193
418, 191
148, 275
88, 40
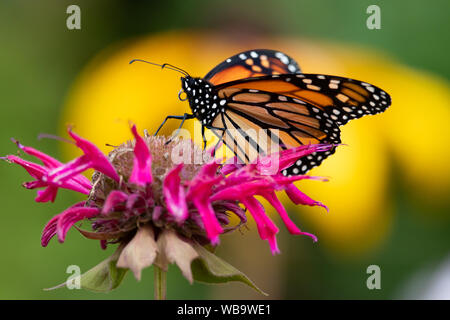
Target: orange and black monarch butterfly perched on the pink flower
265, 89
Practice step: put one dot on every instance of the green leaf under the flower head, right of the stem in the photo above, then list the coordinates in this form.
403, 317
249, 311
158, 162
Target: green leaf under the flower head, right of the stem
210, 268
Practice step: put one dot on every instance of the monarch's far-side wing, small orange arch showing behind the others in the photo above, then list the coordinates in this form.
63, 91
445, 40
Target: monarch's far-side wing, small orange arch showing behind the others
252, 63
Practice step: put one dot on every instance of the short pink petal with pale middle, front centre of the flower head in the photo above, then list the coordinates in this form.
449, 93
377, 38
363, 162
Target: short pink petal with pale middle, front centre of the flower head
174, 194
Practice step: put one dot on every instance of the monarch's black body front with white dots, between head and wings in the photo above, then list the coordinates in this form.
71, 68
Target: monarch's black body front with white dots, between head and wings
203, 99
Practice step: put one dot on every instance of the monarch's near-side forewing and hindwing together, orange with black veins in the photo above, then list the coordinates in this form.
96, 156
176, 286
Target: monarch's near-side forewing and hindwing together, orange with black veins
302, 108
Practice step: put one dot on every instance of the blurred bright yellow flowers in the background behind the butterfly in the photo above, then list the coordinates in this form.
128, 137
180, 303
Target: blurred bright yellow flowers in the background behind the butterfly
414, 130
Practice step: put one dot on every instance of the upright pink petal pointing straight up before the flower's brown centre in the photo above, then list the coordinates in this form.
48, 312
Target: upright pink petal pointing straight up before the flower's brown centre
142, 162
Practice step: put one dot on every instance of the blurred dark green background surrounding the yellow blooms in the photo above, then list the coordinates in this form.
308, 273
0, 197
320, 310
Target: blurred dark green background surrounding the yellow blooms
40, 58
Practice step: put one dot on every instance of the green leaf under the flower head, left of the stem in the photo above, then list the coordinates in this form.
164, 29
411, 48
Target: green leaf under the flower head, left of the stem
104, 277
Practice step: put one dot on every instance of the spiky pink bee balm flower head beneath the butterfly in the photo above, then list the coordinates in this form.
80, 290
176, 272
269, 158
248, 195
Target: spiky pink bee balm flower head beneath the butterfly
159, 210
